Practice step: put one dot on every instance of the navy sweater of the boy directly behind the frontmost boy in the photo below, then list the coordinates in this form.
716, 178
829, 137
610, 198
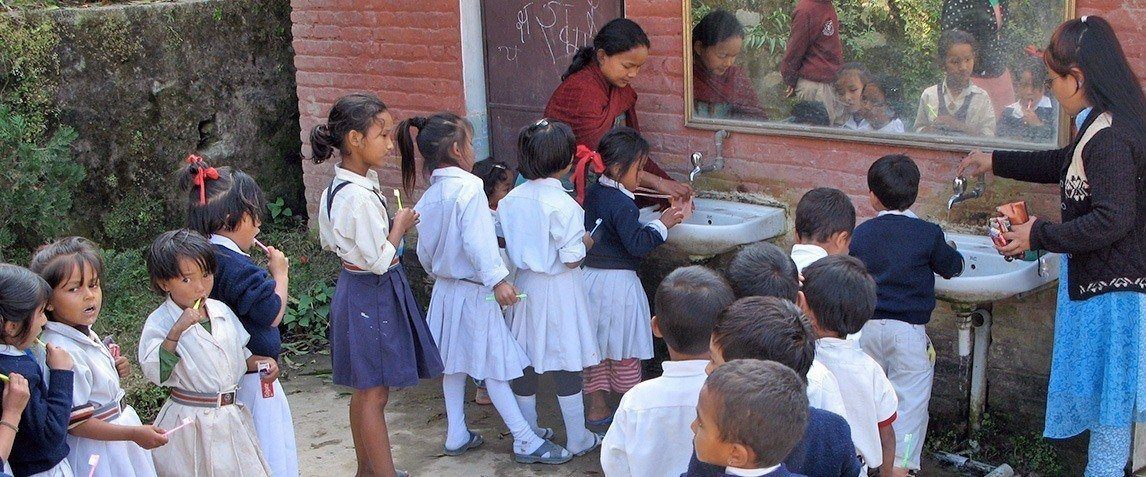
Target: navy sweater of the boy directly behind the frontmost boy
826, 451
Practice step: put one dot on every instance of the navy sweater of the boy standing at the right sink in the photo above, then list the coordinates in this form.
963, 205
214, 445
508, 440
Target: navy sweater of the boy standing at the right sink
901, 254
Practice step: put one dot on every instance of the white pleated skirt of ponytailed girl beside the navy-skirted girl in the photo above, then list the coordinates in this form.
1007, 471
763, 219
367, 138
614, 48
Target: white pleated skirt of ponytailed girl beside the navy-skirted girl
472, 332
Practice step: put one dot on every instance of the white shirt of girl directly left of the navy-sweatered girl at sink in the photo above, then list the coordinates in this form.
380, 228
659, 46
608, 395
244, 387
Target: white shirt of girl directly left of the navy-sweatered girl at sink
544, 228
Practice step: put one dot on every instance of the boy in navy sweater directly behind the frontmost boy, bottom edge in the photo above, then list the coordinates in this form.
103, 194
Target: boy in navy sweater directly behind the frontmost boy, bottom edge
771, 329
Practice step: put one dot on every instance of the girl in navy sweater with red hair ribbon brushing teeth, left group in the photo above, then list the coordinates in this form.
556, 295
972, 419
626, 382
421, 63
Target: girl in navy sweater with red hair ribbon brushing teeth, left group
226, 206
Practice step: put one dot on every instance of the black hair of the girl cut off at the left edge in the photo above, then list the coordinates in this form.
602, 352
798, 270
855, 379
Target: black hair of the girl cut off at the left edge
22, 295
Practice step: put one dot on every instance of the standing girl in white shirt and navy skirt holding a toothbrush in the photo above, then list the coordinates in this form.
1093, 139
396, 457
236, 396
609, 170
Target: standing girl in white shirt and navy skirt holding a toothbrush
379, 339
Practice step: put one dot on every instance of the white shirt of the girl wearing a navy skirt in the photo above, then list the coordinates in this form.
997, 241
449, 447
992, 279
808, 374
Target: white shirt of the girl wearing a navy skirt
358, 224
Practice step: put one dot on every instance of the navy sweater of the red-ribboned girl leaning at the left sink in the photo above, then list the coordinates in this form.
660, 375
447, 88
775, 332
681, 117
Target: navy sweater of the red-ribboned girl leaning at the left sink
622, 241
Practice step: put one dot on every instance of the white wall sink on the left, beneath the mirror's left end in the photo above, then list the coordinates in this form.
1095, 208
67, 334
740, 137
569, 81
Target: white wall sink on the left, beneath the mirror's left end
719, 226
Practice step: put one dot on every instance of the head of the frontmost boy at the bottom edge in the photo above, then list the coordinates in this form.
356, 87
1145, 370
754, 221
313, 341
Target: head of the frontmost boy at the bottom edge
750, 416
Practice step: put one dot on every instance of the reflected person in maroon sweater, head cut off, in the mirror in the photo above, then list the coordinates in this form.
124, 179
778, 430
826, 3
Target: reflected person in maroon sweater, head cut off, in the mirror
814, 56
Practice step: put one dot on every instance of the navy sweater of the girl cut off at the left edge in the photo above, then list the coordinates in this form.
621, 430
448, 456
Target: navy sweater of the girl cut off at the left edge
43, 440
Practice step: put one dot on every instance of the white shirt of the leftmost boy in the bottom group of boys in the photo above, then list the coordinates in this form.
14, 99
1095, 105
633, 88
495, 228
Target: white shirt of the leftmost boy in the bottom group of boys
653, 431
